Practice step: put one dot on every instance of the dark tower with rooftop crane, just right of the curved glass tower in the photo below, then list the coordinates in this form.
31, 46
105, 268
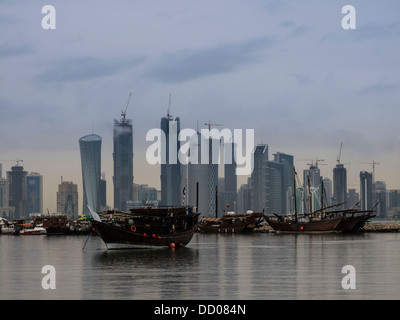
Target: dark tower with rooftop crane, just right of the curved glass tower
123, 162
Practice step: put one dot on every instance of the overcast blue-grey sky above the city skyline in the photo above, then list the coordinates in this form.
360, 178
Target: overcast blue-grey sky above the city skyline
287, 69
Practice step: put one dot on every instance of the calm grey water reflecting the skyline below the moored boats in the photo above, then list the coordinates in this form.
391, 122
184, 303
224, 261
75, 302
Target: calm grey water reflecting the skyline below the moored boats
256, 266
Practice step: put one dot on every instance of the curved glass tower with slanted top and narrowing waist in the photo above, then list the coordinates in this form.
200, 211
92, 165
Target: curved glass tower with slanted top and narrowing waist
90, 147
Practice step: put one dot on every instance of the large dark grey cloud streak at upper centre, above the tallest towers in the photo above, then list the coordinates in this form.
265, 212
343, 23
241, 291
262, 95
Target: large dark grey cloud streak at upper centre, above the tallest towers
194, 64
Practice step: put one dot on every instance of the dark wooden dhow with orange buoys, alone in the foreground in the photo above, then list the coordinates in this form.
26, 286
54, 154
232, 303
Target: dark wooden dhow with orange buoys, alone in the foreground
146, 227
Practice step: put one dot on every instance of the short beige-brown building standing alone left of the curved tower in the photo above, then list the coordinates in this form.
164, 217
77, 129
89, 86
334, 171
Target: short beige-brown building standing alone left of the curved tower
67, 199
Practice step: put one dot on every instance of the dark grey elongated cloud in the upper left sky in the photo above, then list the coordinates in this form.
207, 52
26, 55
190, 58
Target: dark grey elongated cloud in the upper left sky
84, 68
